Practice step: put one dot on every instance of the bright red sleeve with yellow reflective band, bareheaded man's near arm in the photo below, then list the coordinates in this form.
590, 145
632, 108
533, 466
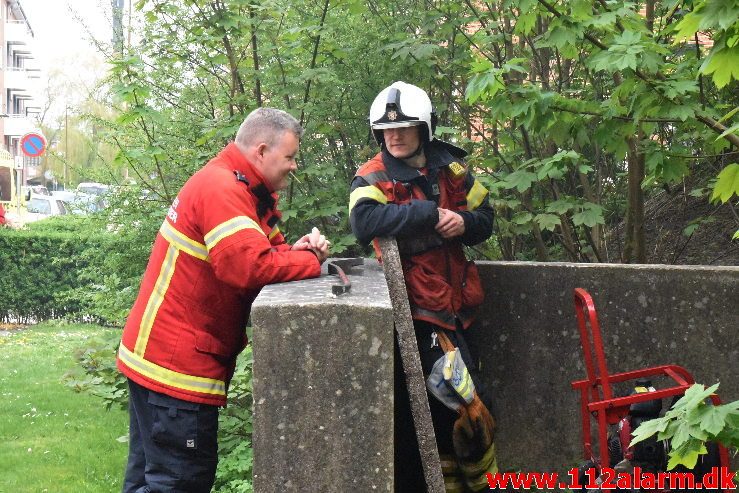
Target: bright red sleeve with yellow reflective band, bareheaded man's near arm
240, 253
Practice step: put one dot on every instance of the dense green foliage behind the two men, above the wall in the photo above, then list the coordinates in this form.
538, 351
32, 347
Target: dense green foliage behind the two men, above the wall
579, 115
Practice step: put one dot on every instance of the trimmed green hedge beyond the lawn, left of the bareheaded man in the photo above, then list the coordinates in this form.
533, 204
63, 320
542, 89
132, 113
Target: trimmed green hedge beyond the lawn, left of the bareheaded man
70, 267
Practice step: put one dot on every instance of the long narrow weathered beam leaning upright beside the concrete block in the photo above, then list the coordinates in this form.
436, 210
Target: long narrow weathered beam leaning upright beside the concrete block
416, 384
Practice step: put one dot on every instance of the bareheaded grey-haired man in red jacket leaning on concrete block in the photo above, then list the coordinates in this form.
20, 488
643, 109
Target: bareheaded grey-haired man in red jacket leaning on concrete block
218, 246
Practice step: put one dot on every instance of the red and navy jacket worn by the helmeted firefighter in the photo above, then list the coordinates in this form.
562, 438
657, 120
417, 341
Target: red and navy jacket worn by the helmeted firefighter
389, 198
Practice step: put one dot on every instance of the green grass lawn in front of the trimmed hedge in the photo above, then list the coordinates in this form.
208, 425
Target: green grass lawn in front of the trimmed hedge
51, 438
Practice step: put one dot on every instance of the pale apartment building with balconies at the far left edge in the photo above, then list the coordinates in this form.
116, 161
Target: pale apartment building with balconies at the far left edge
19, 80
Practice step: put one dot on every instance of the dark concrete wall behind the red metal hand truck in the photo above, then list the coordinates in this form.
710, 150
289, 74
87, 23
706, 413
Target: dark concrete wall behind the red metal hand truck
650, 315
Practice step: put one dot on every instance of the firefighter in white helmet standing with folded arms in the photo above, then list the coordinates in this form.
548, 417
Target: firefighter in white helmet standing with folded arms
419, 190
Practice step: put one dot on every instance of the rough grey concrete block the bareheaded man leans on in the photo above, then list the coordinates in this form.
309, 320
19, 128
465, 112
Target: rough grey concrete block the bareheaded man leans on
323, 386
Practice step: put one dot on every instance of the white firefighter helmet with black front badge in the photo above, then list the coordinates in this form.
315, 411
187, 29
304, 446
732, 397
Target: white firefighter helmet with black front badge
402, 105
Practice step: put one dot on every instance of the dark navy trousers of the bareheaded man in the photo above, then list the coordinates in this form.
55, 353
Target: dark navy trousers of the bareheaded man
173, 444
